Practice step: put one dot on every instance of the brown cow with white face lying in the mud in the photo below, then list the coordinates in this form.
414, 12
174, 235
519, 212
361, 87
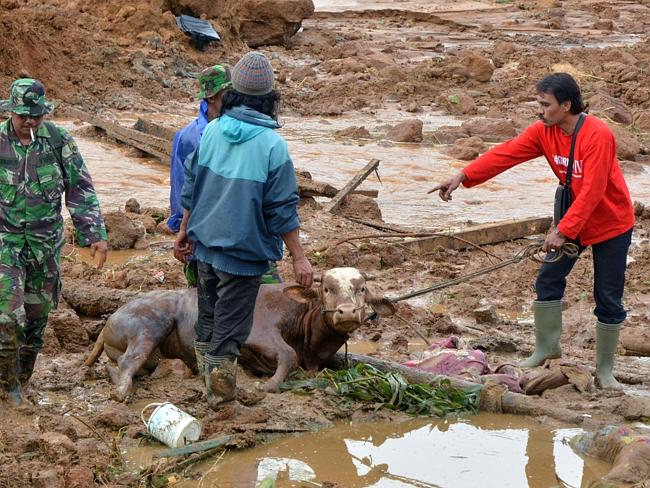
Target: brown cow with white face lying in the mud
292, 326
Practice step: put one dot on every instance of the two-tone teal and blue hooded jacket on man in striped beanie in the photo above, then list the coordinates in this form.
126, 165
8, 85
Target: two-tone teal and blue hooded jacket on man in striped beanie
240, 189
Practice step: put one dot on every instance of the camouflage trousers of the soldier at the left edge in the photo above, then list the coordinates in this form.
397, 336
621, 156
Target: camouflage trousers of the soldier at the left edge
28, 291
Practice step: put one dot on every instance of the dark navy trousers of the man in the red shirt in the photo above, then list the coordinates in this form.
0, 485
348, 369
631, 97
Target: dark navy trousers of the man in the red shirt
610, 261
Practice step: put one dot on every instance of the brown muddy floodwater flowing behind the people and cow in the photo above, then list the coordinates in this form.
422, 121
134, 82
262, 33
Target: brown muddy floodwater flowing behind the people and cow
407, 172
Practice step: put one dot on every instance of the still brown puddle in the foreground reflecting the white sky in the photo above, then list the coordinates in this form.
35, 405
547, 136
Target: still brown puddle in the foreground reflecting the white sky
481, 451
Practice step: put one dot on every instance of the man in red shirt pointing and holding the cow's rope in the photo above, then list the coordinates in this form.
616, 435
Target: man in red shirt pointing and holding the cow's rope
601, 215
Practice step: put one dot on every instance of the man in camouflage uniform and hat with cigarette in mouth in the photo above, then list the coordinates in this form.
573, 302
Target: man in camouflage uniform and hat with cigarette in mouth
39, 162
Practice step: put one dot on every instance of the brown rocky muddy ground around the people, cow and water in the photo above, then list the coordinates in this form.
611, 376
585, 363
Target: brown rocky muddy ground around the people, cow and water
478, 61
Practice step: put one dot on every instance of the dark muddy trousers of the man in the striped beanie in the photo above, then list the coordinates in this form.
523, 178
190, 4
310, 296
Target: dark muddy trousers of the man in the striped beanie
226, 305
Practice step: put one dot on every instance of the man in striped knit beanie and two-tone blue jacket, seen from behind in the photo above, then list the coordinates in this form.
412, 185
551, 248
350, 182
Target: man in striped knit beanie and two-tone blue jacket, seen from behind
240, 203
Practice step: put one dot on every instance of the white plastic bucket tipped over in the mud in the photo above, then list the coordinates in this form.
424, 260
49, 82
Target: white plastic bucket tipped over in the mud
170, 425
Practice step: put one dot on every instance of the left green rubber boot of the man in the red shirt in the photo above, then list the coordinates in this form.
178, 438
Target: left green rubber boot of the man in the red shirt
548, 329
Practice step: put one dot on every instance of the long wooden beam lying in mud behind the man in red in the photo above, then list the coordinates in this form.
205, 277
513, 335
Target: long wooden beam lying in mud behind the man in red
483, 234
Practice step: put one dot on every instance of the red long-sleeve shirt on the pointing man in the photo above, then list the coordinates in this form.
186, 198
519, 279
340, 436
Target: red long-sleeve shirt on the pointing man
602, 207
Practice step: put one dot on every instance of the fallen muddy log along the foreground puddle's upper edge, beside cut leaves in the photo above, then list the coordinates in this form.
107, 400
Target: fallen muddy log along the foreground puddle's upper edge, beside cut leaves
494, 397
